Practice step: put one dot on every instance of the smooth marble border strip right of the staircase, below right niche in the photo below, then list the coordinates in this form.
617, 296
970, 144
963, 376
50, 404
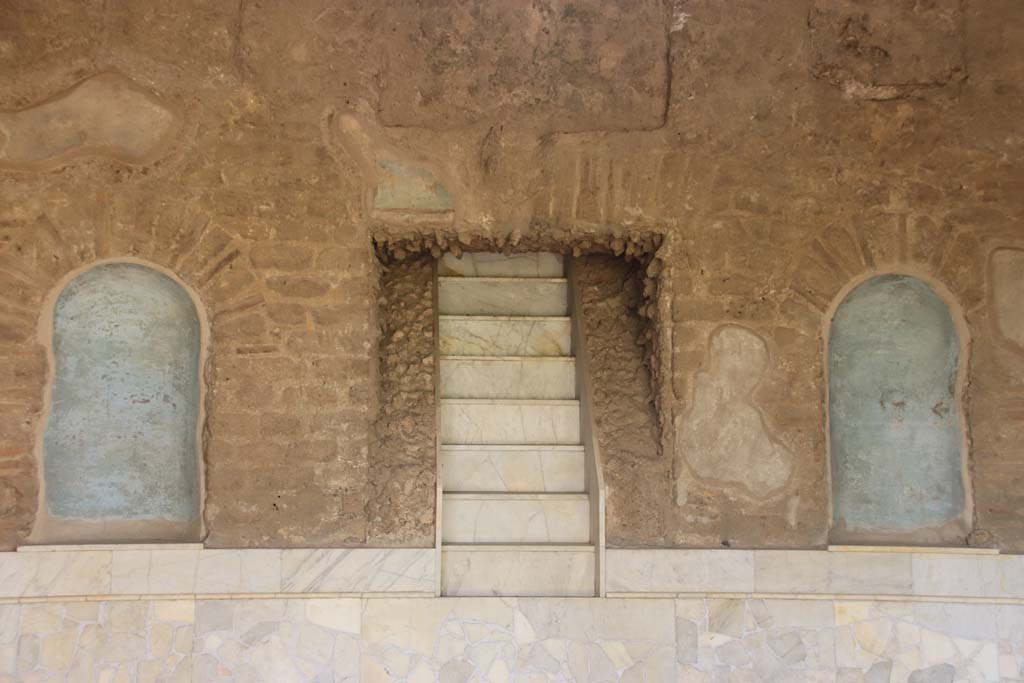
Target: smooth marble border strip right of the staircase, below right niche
816, 573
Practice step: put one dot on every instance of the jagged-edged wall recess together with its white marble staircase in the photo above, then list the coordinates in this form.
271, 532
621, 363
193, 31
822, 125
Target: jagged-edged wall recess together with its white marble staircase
545, 354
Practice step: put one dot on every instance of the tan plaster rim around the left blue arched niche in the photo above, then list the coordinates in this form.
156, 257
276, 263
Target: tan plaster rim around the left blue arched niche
49, 529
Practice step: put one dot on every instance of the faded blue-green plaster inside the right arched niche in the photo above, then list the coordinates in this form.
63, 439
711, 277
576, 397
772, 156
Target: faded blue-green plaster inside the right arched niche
894, 416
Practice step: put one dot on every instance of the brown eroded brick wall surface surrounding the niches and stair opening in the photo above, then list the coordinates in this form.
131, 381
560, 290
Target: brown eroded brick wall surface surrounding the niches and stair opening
783, 149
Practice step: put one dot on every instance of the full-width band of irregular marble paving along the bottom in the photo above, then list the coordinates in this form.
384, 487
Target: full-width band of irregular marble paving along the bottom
279, 641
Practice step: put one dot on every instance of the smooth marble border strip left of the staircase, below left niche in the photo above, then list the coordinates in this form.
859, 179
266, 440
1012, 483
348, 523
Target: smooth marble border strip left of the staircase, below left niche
155, 572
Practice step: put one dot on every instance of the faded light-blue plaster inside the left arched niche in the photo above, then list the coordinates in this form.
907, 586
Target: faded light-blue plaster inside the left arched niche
120, 442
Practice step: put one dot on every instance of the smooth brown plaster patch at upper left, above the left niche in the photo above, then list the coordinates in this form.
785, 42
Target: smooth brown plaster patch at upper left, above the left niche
106, 116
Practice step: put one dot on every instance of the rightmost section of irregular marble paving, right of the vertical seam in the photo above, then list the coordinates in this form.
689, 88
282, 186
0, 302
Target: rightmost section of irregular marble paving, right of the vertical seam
845, 641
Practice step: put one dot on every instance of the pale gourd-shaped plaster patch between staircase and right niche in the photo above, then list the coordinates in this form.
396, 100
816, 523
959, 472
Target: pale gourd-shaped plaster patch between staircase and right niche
724, 438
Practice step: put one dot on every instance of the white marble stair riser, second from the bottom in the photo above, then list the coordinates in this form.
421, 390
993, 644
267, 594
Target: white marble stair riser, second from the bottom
509, 519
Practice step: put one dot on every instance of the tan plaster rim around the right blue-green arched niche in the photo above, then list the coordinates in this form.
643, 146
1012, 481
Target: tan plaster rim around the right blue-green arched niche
956, 532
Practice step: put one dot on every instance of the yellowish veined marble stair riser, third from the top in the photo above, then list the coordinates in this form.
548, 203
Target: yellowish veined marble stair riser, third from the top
505, 335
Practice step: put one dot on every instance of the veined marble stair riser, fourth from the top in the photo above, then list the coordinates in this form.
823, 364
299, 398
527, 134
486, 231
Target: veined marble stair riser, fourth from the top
507, 377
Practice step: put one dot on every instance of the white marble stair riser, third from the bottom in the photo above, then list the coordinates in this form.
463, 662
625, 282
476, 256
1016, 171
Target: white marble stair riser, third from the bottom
553, 469
